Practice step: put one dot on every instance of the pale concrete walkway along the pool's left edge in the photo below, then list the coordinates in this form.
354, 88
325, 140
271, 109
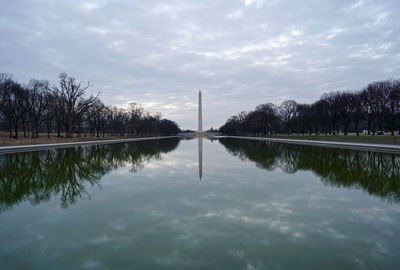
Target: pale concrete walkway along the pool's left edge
35, 147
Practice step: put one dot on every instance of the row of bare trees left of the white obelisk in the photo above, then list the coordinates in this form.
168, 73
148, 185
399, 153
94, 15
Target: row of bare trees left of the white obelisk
40, 106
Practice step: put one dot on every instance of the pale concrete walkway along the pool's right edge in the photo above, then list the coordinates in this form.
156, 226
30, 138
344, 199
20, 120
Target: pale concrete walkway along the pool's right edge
346, 145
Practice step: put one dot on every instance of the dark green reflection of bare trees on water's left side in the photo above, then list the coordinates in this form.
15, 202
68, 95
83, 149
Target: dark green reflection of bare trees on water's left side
37, 176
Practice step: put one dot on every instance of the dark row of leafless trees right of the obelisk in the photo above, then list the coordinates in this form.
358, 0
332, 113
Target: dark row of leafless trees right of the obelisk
374, 109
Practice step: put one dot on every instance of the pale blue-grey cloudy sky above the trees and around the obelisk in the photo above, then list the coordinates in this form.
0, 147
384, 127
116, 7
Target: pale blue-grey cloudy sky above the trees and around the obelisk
240, 53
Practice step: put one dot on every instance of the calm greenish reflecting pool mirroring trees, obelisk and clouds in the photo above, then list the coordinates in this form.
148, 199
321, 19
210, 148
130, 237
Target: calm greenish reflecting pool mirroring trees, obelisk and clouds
199, 204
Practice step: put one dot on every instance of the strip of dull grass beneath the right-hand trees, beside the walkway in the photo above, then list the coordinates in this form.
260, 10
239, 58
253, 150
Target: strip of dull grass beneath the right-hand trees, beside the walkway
377, 139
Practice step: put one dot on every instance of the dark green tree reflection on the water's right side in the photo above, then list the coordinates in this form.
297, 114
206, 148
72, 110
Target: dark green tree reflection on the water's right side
376, 173
